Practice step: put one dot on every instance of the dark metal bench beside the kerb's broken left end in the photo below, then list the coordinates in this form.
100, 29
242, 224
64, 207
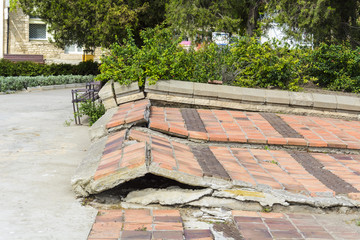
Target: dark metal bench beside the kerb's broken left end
91, 92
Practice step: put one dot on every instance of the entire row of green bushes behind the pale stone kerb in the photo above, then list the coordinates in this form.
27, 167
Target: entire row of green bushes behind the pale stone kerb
246, 62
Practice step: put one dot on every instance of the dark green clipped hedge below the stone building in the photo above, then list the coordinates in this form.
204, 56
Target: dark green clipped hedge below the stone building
8, 68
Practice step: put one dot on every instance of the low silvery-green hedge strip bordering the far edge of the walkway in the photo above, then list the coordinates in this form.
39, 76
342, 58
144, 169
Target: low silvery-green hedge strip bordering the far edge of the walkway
19, 83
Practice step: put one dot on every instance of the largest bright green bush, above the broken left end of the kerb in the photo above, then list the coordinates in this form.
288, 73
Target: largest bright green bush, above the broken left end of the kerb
160, 57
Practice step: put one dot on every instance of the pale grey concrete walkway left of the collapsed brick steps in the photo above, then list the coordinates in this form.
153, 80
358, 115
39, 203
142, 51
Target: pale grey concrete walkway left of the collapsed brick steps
38, 156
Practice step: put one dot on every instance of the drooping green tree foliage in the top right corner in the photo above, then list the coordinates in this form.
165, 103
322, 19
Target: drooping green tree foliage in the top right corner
318, 20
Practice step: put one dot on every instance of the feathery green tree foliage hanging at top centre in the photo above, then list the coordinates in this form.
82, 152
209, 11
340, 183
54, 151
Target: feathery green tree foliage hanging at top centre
201, 17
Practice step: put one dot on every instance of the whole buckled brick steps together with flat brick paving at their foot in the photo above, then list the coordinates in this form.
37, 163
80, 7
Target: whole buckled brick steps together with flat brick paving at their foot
229, 168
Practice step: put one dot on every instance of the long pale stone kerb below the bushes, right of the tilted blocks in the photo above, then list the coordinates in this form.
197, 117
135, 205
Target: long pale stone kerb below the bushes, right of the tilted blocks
205, 93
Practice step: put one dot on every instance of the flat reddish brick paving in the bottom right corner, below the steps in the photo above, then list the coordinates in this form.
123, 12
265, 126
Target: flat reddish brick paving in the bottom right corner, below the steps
253, 225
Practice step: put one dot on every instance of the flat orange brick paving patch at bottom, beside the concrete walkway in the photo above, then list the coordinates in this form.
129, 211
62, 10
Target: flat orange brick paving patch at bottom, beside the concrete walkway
143, 224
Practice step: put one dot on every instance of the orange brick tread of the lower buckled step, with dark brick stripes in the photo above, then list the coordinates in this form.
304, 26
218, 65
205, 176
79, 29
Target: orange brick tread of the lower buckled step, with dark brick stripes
279, 169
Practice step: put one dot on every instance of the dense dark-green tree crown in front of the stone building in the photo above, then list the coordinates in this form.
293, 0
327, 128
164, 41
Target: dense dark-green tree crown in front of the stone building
93, 23
